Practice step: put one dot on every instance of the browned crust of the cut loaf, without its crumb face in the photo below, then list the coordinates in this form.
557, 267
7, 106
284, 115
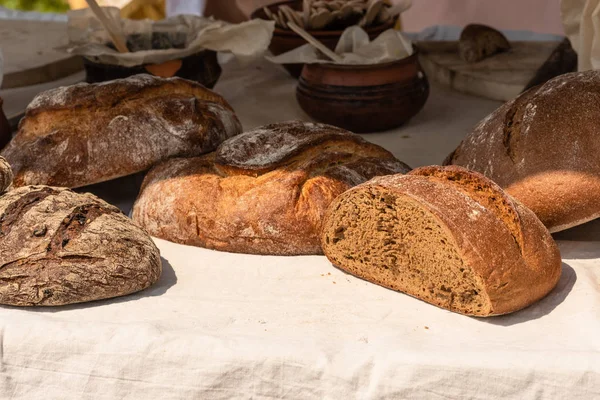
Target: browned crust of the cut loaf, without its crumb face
510, 252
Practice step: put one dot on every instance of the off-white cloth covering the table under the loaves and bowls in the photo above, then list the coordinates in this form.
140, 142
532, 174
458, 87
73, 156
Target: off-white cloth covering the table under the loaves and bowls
220, 325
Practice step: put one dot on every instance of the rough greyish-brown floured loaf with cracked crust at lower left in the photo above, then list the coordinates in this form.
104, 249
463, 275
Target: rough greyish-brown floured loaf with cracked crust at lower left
58, 247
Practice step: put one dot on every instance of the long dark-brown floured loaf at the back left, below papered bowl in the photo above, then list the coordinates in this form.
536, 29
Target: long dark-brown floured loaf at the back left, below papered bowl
83, 134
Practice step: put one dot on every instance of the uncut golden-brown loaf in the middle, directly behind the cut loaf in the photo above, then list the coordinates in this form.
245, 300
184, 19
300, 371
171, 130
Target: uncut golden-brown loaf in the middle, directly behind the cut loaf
262, 192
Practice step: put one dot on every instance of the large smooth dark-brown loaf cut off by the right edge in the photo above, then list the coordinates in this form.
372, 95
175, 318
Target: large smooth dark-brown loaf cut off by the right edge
542, 148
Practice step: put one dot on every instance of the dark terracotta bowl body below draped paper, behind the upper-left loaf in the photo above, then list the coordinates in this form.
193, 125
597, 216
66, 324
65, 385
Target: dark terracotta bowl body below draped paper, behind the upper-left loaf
202, 67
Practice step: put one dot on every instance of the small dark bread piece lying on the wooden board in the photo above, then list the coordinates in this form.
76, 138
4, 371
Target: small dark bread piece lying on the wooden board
478, 42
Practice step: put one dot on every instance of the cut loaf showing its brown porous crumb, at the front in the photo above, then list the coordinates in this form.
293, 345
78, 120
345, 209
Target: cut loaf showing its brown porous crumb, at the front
448, 236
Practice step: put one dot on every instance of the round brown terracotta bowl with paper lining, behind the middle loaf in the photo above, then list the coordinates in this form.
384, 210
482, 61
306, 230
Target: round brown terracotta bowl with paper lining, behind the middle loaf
364, 98
